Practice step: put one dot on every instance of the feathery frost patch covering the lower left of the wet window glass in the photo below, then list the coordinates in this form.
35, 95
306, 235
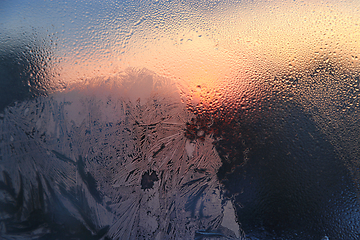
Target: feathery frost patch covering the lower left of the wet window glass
94, 162
